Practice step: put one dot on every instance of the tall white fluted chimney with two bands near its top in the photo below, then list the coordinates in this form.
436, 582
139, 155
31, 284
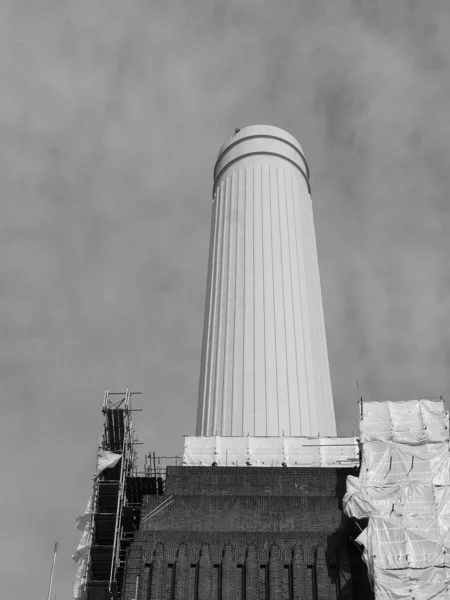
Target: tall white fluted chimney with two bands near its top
264, 368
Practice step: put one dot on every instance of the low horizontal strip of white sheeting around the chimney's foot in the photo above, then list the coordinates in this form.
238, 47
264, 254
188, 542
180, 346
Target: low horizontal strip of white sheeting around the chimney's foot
271, 451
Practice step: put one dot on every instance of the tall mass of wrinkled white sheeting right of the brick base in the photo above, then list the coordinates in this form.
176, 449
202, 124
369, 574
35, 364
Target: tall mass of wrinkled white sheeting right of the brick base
404, 490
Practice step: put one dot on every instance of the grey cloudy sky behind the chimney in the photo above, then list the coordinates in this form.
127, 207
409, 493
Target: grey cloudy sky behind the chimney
111, 116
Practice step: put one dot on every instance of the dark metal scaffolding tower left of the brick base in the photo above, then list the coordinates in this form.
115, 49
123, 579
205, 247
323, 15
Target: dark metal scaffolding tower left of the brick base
117, 500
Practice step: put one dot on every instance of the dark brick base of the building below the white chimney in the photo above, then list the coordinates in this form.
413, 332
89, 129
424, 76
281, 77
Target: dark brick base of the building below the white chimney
247, 533
